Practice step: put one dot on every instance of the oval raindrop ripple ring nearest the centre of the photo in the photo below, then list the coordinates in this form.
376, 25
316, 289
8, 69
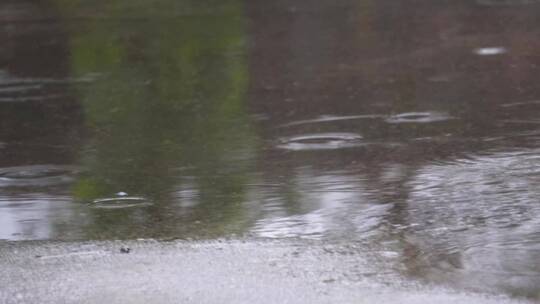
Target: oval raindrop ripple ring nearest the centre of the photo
321, 141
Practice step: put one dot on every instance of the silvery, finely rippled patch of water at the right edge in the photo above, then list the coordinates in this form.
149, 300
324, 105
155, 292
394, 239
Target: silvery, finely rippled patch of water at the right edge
502, 189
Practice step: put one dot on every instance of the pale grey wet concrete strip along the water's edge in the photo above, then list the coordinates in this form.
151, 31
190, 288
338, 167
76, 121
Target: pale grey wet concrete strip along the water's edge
222, 271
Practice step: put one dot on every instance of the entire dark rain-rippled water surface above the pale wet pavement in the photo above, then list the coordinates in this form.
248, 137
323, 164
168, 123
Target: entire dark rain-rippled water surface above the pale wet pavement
412, 126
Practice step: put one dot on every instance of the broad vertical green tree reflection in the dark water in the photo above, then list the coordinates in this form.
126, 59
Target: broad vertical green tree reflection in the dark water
168, 103
